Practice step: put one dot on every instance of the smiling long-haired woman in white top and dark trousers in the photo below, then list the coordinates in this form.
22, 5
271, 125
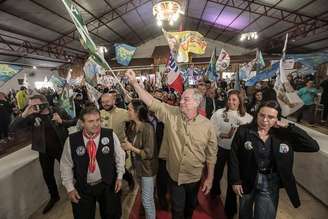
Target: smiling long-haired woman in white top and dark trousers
226, 121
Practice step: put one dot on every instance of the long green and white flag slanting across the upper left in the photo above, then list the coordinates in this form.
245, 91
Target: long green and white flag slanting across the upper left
85, 39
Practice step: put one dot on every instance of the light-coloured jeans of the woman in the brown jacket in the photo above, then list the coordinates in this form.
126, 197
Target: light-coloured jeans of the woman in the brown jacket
147, 196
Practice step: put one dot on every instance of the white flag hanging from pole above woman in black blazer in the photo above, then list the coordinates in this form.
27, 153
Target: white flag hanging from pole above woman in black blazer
287, 97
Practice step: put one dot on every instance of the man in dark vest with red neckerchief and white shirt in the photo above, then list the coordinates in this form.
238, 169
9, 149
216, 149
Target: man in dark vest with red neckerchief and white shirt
92, 167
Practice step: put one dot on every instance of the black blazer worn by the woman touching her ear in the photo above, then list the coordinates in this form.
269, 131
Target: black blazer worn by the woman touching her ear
243, 167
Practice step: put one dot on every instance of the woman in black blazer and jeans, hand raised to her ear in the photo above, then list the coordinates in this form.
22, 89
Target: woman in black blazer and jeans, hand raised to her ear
261, 161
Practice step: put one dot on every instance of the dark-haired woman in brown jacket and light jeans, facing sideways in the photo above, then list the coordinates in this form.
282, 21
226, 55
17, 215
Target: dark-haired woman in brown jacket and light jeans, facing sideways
141, 142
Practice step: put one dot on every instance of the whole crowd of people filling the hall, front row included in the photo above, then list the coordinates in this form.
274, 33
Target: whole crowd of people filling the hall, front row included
176, 143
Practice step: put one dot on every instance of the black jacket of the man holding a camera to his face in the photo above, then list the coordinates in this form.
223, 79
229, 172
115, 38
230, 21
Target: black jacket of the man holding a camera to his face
38, 131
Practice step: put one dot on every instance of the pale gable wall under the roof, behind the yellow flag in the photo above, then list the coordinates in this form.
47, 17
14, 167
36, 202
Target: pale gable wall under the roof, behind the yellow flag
146, 50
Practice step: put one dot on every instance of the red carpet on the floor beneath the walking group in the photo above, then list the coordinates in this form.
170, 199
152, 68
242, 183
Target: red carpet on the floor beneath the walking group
207, 209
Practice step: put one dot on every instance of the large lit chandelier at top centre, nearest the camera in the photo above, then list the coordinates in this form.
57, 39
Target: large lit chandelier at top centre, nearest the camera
167, 11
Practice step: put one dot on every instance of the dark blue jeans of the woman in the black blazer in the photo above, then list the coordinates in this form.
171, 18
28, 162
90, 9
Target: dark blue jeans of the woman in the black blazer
264, 197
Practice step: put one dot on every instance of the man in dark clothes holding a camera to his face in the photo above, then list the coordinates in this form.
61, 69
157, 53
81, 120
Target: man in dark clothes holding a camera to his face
49, 131
